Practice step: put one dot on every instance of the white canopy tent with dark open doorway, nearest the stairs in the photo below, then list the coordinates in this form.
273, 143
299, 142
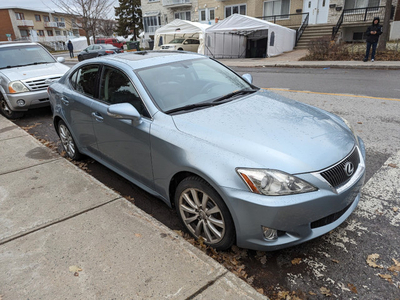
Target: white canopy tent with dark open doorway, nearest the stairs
239, 35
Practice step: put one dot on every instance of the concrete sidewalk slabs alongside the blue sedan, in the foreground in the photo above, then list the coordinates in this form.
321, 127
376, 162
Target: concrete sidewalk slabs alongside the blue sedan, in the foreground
64, 235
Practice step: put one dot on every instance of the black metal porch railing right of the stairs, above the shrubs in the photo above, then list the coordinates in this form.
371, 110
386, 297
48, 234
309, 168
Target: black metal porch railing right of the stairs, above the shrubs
358, 15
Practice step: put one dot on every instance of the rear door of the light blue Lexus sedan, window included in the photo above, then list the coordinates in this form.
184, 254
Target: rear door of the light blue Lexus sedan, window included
76, 101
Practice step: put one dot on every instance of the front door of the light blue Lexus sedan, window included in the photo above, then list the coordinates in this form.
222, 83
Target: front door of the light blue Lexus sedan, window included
124, 145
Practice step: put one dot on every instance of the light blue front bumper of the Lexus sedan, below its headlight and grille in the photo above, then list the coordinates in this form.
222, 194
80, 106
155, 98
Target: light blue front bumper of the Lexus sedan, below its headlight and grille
298, 218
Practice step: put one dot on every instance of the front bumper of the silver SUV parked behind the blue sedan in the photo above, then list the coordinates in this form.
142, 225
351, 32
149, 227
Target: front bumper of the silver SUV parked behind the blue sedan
34, 99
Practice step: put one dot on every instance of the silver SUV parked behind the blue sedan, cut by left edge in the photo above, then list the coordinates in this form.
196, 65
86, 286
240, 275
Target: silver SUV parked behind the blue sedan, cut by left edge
26, 69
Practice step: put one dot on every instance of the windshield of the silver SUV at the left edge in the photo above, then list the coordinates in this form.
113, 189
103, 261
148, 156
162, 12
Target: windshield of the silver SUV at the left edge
19, 56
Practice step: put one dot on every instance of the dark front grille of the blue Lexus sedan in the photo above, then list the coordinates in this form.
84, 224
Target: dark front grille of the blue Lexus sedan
337, 174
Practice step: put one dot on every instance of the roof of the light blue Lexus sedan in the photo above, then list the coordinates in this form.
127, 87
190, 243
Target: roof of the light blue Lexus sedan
143, 59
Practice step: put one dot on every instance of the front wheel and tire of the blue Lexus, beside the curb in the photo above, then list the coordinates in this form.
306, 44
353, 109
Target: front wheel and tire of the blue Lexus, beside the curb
204, 213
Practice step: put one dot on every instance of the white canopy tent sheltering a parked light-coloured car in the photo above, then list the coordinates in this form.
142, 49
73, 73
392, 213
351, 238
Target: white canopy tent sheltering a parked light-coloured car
180, 28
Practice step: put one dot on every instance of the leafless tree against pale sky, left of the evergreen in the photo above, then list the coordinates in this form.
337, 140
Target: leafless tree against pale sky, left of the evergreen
89, 12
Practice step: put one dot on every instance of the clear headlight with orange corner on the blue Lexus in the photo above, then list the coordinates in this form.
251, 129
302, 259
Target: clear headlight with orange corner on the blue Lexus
273, 182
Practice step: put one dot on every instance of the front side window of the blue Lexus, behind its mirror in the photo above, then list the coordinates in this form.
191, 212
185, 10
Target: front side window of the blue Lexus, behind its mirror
117, 88
